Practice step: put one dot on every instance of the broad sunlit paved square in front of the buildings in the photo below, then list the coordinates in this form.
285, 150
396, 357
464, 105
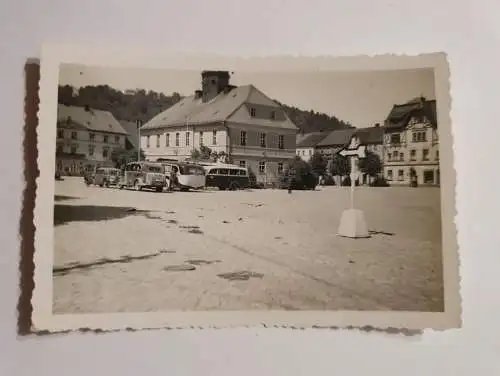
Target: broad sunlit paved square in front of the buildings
127, 251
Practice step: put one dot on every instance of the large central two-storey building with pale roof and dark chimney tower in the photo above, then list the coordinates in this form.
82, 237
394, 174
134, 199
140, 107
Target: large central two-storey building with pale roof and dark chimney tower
241, 122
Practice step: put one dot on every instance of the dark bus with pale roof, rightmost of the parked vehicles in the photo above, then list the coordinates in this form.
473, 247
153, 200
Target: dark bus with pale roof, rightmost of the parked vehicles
226, 176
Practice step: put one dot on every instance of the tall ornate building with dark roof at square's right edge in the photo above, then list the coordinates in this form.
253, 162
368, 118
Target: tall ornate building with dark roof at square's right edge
411, 144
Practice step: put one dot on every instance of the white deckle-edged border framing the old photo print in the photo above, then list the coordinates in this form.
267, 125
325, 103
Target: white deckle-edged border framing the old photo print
43, 319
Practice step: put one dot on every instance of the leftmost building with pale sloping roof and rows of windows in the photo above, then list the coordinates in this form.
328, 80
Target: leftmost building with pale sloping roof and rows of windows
86, 139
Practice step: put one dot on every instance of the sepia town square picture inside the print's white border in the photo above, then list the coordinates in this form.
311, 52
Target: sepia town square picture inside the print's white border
210, 190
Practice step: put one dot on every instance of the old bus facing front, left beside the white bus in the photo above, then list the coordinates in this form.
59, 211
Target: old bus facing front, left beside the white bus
139, 175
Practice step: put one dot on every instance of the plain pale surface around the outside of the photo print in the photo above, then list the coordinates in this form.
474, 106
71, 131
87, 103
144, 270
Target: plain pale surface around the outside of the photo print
468, 31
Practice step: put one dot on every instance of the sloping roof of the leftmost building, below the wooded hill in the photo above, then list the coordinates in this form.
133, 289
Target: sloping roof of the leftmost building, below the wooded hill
93, 120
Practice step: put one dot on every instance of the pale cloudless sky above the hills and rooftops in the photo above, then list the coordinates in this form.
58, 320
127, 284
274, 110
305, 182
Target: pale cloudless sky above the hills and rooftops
361, 98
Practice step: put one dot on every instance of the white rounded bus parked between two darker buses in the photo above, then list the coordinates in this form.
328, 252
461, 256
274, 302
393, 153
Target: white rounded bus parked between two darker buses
186, 175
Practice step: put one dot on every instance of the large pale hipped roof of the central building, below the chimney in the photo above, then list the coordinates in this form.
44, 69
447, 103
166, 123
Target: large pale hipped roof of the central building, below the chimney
225, 106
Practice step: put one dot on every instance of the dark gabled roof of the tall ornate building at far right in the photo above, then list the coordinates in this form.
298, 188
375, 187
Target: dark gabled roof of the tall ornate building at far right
401, 114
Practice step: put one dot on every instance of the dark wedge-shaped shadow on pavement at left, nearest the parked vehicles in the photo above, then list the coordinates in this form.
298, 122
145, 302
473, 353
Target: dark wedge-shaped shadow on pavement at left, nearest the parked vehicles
85, 213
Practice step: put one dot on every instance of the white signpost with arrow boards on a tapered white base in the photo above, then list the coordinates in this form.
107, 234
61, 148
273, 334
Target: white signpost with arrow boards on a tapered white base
352, 222
